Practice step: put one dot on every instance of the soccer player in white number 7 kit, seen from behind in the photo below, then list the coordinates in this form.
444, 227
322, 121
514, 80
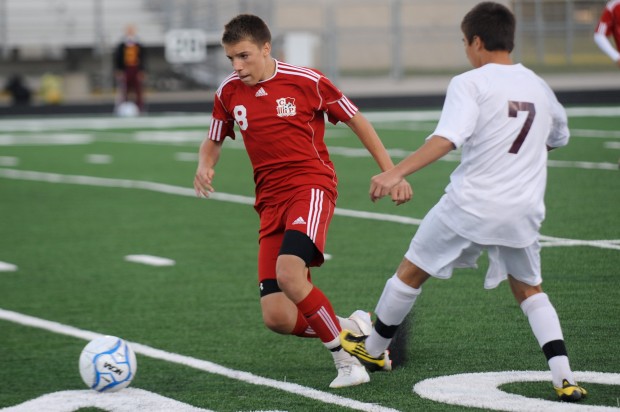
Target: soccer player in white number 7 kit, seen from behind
504, 118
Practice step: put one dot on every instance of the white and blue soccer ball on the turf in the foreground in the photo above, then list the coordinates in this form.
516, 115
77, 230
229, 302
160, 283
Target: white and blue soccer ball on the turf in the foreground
107, 364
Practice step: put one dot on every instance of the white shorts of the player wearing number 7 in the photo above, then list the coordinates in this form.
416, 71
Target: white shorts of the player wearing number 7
438, 250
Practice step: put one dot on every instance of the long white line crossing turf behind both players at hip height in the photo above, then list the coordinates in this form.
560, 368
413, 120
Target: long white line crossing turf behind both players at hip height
247, 200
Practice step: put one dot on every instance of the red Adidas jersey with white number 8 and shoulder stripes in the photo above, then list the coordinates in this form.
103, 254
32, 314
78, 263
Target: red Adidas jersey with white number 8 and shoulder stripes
282, 121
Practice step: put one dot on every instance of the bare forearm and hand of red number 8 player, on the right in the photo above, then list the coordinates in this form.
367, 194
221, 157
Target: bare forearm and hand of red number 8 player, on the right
401, 192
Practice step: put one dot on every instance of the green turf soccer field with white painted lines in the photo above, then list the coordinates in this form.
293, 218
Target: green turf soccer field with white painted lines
78, 195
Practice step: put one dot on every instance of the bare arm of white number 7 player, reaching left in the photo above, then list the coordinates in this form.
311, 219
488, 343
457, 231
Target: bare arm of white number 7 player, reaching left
433, 149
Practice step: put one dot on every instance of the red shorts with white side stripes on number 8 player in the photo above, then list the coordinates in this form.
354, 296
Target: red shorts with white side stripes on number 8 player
309, 211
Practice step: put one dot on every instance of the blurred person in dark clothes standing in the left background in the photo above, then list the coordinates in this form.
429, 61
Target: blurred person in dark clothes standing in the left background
130, 68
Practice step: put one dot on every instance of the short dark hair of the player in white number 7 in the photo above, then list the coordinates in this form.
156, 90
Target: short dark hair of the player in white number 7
493, 23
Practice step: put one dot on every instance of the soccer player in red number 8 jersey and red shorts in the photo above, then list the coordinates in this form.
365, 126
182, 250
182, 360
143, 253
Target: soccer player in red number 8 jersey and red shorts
280, 110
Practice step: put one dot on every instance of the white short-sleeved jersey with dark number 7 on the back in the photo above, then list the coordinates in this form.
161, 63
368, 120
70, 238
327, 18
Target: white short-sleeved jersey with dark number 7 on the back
503, 117
